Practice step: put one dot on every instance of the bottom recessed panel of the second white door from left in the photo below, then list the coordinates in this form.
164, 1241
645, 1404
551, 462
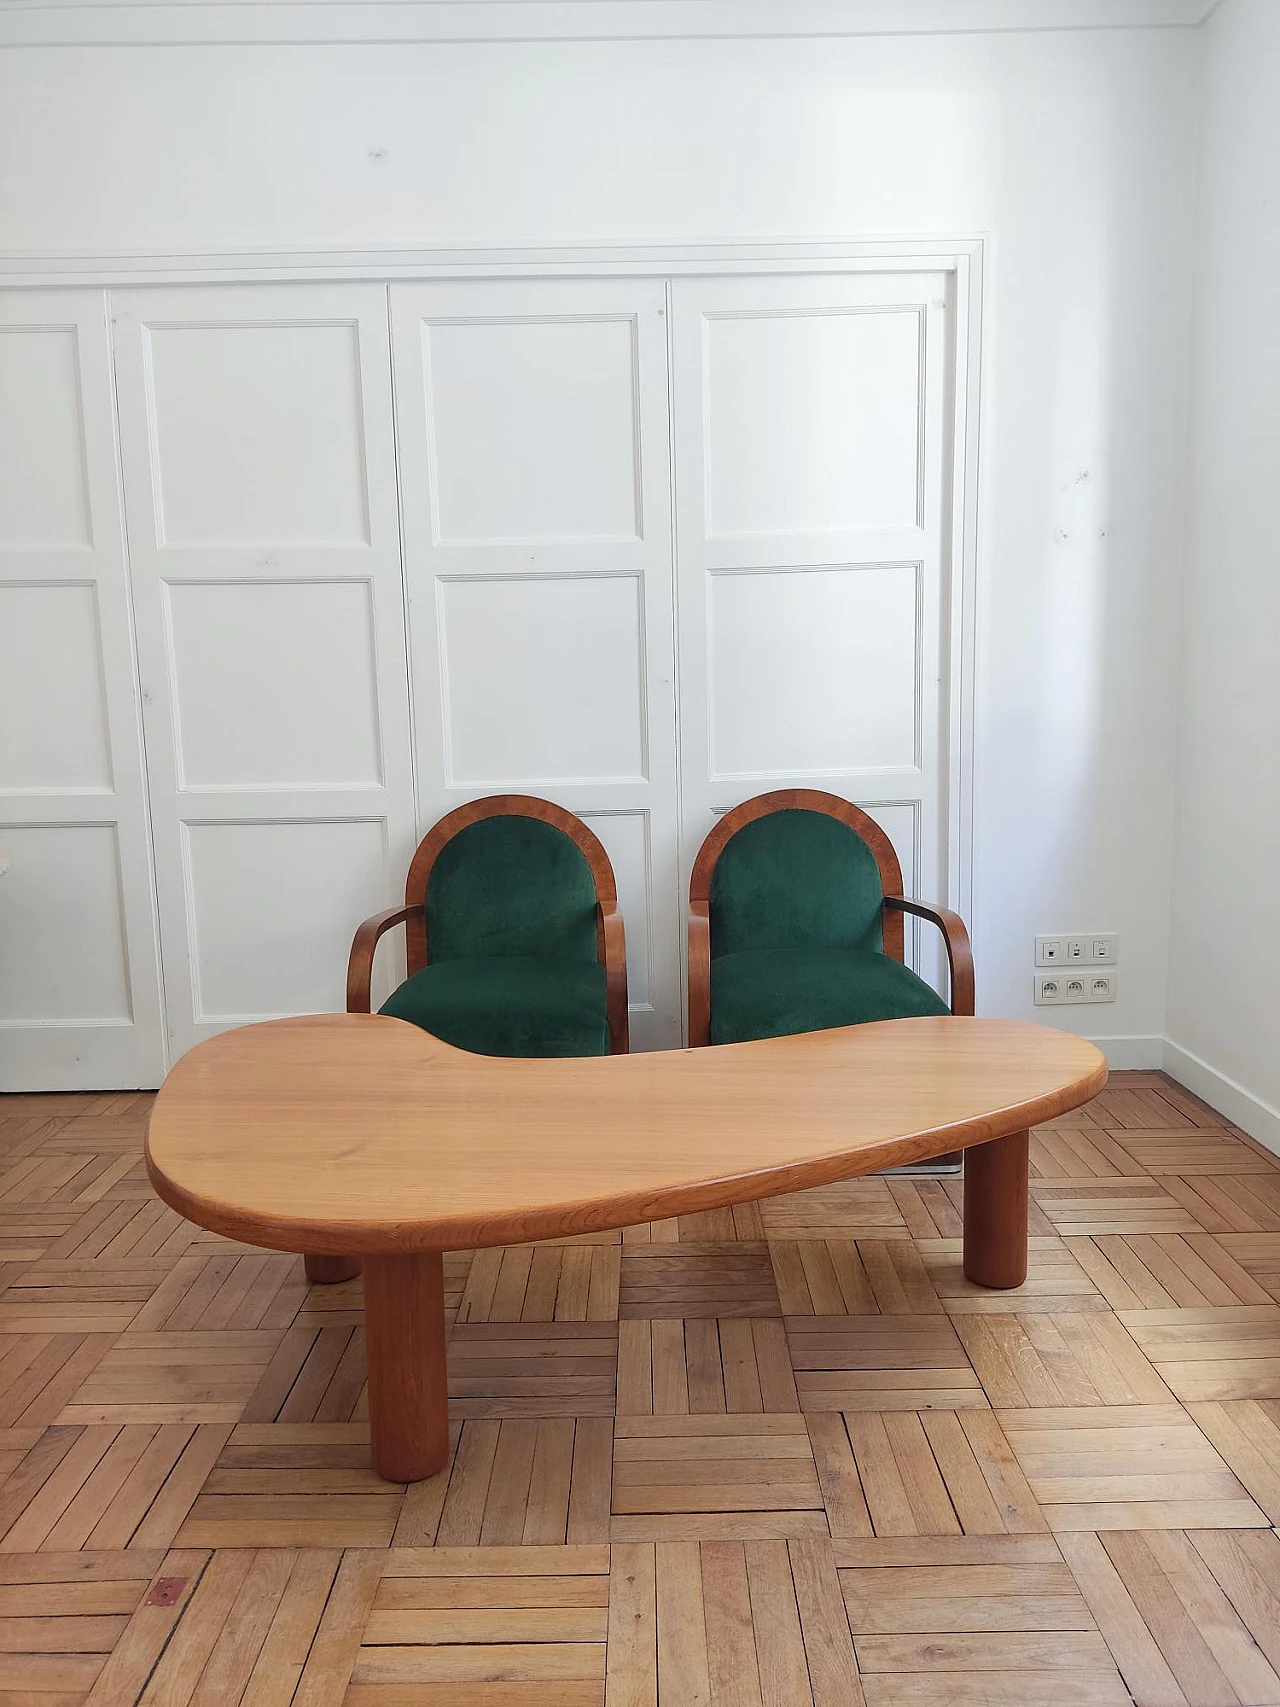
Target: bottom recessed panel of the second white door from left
274, 909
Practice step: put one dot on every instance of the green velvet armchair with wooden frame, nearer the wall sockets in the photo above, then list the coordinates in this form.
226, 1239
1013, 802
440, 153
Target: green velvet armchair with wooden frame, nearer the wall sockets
796, 924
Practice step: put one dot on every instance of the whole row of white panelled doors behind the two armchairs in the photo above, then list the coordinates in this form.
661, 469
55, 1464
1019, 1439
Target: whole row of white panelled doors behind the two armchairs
395, 549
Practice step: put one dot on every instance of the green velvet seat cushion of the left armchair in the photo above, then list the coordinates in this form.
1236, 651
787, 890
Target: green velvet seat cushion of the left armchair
509, 1006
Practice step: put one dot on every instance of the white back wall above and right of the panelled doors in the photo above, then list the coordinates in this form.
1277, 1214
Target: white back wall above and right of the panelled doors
1071, 151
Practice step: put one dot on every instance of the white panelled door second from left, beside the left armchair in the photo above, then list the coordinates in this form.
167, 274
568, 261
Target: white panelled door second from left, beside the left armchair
260, 484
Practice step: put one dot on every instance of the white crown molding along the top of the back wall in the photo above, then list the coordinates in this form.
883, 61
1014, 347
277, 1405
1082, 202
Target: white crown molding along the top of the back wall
262, 23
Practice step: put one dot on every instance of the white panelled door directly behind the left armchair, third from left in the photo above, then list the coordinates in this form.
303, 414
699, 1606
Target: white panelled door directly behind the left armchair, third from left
537, 494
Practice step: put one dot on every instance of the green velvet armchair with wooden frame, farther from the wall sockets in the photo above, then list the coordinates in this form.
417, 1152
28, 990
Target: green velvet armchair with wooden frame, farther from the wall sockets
513, 933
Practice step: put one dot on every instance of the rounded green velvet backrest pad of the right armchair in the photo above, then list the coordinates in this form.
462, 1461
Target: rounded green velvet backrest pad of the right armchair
796, 880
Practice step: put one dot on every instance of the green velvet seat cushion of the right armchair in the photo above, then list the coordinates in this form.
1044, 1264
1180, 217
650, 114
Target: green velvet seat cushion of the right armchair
776, 993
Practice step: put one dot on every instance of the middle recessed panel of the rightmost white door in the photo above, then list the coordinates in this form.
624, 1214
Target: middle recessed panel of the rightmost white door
813, 670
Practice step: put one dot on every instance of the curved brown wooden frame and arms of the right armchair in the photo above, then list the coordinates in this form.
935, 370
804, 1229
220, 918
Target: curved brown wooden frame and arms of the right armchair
960, 957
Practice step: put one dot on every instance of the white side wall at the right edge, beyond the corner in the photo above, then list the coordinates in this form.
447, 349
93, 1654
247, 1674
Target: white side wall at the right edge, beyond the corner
1225, 1017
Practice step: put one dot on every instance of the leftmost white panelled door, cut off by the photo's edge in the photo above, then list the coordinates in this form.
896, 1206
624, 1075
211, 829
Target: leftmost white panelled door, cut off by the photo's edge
79, 970
